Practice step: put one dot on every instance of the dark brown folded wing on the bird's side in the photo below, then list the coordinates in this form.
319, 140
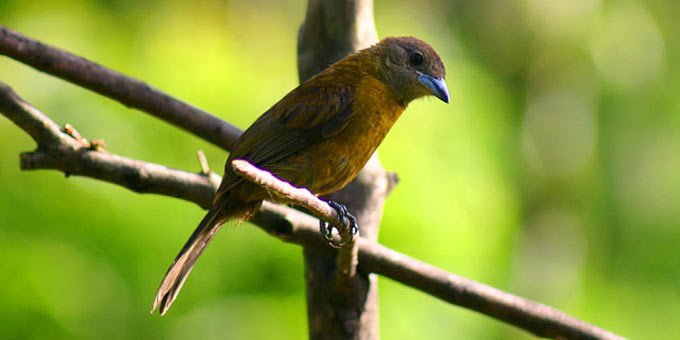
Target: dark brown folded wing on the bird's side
307, 115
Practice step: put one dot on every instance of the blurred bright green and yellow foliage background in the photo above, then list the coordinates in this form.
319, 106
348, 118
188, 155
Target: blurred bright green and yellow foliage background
554, 174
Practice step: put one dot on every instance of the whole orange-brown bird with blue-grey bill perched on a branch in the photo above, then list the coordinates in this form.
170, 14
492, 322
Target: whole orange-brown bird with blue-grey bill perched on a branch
318, 136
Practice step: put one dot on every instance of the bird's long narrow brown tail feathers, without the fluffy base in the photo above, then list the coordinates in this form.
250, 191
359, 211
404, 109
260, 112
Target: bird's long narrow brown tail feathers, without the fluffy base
181, 267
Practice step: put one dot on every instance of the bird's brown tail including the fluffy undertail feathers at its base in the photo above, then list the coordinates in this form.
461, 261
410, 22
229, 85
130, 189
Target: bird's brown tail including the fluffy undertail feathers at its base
201, 237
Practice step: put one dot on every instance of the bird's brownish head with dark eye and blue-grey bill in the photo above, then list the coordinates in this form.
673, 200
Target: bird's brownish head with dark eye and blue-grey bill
412, 69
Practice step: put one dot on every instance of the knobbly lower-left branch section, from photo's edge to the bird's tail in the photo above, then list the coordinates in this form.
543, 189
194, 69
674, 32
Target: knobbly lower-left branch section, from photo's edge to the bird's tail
60, 151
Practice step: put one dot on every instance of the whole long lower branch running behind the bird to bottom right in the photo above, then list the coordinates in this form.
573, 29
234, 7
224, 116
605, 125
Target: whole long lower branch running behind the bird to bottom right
61, 151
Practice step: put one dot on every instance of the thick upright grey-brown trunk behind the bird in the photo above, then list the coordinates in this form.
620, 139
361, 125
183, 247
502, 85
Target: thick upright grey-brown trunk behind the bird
342, 304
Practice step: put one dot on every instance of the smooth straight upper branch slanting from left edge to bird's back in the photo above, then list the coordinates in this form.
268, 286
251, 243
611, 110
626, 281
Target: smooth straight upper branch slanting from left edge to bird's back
109, 83
